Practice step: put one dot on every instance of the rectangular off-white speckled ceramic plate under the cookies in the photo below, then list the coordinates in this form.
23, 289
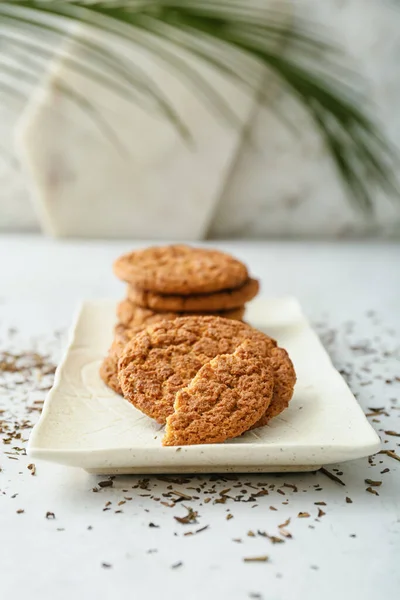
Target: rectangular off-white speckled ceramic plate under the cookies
85, 424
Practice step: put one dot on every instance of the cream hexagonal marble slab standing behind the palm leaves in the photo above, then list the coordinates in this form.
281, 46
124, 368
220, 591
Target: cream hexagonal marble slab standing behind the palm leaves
147, 182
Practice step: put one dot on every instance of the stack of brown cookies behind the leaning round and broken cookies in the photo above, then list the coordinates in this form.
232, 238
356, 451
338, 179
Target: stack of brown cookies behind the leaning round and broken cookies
173, 281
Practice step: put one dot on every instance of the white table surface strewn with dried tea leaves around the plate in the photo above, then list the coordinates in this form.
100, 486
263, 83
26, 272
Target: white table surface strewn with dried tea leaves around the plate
351, 292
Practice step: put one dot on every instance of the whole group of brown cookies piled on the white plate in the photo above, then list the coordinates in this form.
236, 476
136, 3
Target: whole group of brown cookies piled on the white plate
182, 354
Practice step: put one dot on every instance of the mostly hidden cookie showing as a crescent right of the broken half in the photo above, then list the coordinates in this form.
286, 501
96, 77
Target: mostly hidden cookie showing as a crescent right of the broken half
285, 379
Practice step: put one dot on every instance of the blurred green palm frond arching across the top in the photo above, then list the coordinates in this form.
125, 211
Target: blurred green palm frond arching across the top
234, 37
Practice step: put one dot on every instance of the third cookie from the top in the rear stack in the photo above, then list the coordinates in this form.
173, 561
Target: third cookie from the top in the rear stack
133, 316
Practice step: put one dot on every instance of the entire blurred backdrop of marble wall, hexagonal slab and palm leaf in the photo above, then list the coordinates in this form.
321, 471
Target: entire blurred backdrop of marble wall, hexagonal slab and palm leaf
195, 120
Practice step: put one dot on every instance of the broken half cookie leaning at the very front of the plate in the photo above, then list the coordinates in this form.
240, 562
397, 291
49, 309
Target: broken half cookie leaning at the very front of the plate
226, 397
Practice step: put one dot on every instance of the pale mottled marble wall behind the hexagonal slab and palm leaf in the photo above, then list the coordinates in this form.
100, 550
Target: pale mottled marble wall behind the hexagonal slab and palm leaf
281, 185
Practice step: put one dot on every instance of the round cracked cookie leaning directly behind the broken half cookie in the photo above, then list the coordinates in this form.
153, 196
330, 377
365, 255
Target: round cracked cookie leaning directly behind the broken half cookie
163, 359
